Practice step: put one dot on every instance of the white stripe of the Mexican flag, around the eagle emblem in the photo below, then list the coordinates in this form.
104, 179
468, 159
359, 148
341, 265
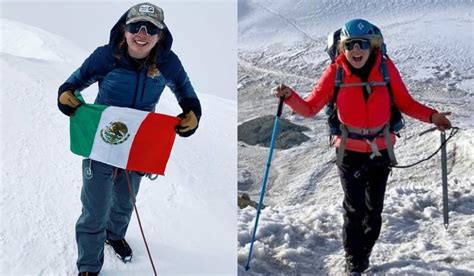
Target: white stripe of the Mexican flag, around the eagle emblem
116, 155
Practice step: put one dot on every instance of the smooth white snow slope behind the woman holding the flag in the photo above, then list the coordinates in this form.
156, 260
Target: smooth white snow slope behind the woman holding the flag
188, 215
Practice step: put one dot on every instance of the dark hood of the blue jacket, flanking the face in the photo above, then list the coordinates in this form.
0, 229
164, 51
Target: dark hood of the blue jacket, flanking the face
164, 45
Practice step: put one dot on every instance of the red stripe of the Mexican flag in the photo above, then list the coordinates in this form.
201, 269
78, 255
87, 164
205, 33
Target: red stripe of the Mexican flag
152, 145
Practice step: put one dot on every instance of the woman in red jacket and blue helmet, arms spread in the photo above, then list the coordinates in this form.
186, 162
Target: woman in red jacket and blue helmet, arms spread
363, 106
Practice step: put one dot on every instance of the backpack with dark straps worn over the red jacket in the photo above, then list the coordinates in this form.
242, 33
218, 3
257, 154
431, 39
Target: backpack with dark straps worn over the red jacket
335, 127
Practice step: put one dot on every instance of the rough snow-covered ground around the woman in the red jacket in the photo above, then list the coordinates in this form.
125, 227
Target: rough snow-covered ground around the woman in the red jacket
431, 42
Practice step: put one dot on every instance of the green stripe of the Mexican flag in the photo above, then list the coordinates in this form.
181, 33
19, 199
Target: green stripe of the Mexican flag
83, 126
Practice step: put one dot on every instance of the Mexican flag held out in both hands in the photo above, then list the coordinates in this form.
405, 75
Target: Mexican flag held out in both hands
123, 137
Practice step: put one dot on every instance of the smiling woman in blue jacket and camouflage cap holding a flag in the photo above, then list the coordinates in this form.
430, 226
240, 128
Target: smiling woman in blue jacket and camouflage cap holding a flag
131, 71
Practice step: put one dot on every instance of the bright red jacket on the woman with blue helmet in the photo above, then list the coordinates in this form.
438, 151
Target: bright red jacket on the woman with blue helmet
353, 110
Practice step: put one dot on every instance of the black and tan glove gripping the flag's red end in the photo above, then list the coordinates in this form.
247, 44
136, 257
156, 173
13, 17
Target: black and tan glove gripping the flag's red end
190, 117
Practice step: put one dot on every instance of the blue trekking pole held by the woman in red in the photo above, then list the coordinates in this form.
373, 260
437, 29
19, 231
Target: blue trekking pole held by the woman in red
276, 129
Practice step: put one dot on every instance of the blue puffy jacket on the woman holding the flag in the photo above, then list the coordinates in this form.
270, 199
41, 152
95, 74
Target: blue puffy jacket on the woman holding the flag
122, 83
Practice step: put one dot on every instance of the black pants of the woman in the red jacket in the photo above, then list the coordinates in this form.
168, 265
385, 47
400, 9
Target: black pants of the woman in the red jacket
363, 181
